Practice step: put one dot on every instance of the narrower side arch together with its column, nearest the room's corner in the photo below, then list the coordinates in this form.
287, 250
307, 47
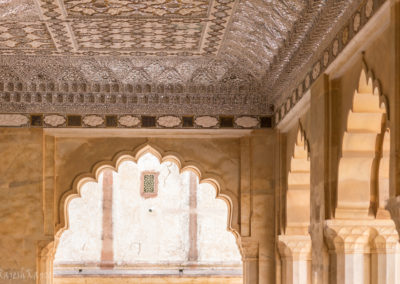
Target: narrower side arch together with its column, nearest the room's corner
295, 244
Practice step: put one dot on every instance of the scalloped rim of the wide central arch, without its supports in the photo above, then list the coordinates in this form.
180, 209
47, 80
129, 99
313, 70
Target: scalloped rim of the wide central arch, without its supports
93, 176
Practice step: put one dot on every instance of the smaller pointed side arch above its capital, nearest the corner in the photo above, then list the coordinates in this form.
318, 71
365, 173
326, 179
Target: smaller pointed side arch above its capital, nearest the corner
298, 193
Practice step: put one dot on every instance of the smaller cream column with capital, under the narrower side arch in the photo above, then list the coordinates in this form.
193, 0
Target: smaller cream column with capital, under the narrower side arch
295, 251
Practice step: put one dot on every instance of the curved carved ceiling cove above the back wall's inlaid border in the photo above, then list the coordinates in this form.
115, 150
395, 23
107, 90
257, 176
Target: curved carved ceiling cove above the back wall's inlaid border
60, 85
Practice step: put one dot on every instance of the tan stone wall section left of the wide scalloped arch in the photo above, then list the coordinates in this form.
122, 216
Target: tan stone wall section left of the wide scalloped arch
21, 215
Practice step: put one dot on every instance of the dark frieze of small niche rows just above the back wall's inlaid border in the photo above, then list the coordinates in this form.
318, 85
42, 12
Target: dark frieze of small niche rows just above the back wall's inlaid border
84, 98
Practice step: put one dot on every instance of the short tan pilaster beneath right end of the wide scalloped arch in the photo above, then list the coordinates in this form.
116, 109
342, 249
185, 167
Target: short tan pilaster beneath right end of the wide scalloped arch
250, 260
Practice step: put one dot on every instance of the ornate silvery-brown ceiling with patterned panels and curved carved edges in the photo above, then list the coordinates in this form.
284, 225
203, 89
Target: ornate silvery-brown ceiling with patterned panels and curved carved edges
219, 56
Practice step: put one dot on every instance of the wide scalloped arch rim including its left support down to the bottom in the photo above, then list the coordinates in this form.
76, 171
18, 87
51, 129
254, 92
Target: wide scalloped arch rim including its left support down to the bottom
48, 250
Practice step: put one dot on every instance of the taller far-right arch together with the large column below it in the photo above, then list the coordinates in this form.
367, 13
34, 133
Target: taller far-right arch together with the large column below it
362, 239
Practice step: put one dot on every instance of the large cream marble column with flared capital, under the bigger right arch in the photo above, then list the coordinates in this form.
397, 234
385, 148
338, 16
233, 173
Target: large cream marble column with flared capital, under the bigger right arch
360, 250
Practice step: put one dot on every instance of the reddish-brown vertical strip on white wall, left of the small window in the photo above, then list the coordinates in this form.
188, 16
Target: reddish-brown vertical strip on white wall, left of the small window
107, 253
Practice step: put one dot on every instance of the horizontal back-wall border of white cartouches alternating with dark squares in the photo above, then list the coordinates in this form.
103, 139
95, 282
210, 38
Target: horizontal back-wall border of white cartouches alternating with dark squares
57, 120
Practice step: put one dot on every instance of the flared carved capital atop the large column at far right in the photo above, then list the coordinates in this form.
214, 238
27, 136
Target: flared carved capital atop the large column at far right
361, 236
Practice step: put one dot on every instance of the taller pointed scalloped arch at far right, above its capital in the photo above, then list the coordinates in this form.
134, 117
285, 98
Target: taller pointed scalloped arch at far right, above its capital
358, 186
